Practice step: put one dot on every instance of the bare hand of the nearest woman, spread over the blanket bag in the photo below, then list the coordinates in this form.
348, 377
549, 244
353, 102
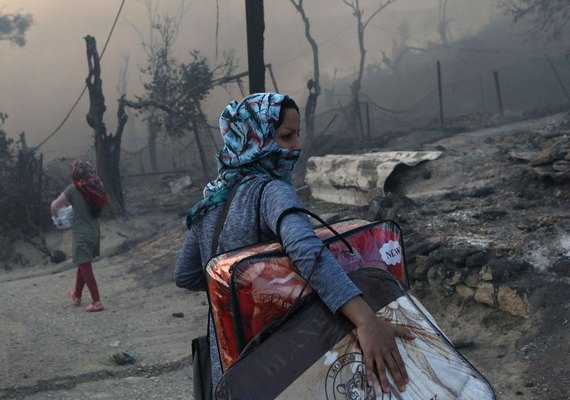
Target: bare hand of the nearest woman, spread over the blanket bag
377, 338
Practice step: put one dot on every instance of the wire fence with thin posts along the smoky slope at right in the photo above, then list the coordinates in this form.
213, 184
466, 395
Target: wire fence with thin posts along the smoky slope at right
528, 87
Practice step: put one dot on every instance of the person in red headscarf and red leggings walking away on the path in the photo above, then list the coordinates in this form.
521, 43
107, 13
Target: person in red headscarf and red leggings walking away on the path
87, 197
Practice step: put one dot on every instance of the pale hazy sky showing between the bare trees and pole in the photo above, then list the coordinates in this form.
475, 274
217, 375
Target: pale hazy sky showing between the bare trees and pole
40, 81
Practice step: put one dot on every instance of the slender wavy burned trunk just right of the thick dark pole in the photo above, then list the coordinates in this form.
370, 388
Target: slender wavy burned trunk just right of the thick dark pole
313, 84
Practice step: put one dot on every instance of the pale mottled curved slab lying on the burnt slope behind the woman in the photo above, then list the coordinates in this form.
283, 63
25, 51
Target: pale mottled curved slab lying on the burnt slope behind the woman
357, 179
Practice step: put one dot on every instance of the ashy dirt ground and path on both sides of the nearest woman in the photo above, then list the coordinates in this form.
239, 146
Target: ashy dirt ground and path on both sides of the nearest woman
476, 193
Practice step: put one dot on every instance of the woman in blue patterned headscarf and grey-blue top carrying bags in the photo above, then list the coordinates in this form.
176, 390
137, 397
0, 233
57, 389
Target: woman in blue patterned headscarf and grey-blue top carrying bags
262, 142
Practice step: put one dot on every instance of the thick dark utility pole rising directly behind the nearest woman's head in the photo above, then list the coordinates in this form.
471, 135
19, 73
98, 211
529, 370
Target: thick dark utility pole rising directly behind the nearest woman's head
255, 26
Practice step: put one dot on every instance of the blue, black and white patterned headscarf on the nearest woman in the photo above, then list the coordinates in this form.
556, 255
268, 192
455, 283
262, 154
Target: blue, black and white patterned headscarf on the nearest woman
248, 131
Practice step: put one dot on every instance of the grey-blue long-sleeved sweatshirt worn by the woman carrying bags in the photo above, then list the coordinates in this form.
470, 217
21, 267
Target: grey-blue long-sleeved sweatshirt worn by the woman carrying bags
243, 224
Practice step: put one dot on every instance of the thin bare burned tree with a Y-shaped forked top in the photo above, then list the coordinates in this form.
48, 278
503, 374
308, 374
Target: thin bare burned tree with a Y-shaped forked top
361, 24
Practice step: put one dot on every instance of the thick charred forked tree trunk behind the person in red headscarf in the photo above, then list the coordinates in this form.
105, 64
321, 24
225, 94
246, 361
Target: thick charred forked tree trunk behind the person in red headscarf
107, 146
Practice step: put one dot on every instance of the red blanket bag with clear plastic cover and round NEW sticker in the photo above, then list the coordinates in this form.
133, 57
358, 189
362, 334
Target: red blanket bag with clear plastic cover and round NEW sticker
251, 287
